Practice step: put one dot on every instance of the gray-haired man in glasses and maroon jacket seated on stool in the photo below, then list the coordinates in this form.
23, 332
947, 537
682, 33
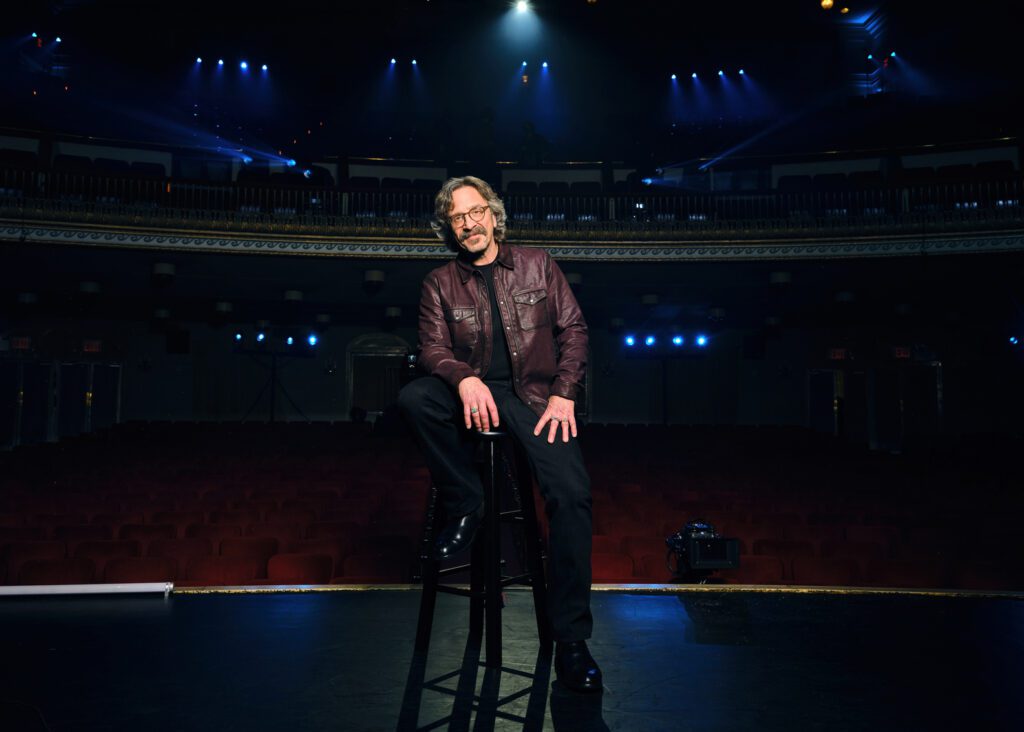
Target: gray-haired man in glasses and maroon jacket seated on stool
505, 345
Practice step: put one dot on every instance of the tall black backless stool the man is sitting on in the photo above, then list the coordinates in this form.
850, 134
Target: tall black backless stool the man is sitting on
487, 578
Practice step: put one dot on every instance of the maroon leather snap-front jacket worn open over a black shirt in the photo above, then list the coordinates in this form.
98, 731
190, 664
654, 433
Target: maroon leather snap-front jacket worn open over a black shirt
546, 332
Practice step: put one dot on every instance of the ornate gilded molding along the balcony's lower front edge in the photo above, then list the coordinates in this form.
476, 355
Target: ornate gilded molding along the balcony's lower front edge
415, 248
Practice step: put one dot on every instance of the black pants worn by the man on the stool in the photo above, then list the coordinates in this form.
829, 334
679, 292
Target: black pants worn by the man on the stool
437, 417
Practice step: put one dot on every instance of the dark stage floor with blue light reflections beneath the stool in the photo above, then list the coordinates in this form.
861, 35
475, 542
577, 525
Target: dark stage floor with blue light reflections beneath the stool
700, 660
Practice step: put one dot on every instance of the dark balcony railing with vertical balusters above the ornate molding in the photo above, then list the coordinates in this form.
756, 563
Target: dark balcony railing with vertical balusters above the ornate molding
648, 216
